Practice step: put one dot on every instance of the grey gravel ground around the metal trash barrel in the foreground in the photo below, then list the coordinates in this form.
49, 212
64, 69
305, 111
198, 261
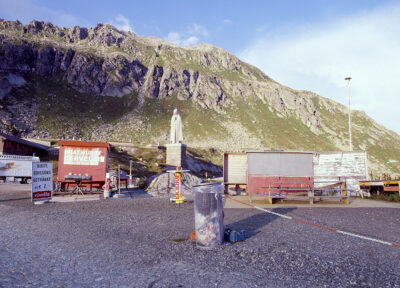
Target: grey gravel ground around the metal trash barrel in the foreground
130, 243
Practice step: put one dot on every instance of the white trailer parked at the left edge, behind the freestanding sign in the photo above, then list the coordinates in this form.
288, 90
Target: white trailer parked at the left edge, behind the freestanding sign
17, 166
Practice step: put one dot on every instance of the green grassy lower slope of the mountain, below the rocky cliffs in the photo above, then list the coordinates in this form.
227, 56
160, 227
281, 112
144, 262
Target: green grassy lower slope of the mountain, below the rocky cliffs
62, 109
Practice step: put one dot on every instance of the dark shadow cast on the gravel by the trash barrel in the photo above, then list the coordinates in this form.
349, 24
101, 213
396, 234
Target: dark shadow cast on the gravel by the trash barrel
253, 223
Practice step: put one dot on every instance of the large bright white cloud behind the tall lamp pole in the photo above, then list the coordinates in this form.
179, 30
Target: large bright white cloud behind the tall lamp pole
318, 57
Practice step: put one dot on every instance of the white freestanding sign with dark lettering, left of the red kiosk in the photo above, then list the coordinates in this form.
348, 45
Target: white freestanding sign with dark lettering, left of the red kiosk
42, 184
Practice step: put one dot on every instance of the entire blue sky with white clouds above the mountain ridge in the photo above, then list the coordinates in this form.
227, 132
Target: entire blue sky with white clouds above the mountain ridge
310, 45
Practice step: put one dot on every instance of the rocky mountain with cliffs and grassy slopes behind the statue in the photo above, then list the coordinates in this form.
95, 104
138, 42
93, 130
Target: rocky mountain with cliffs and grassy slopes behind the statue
101, 83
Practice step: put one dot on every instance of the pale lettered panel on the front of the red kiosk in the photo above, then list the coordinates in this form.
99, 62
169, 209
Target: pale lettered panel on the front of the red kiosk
82, 156
